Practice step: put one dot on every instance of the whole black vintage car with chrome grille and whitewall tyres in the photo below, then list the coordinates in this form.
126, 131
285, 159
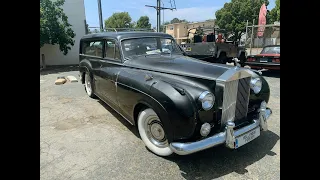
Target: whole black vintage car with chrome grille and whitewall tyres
179, 104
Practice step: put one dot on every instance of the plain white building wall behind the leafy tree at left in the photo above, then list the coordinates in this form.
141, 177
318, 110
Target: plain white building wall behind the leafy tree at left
75, 11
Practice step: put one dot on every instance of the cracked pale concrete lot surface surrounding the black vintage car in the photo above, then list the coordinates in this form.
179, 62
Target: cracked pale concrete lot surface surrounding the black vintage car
82, 138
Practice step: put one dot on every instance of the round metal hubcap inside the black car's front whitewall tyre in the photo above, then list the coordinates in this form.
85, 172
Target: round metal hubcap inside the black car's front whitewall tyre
155, 132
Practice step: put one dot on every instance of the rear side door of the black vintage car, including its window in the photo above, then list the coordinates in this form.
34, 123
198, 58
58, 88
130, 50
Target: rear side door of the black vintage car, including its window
93, 52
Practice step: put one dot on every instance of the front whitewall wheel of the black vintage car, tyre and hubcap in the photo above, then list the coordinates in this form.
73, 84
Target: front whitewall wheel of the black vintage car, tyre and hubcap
152, 133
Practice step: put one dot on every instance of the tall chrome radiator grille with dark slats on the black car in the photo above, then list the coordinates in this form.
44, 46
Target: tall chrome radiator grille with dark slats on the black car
235, 100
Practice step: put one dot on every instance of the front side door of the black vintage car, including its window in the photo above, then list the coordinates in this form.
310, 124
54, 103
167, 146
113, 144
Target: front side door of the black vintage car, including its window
109, 71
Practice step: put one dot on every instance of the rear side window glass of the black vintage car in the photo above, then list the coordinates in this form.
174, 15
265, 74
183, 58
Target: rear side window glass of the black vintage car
92, 48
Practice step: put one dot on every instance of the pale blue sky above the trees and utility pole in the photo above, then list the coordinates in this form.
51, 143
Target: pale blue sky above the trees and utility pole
191, 10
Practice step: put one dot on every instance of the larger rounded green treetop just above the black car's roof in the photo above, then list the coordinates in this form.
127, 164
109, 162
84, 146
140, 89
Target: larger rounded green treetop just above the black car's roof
119, 20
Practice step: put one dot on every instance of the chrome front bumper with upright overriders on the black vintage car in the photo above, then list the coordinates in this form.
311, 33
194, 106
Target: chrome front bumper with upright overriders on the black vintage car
226, 137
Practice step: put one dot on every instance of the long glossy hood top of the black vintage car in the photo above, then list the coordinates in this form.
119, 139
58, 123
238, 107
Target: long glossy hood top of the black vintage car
178, 65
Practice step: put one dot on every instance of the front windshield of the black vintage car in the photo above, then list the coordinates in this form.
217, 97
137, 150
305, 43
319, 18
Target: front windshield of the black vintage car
149, 46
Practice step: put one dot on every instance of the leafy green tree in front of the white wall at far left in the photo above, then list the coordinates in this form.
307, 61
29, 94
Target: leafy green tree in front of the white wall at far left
54, 26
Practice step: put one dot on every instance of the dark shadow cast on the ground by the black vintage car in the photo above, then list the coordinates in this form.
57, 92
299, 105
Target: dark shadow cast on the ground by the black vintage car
217, 161
